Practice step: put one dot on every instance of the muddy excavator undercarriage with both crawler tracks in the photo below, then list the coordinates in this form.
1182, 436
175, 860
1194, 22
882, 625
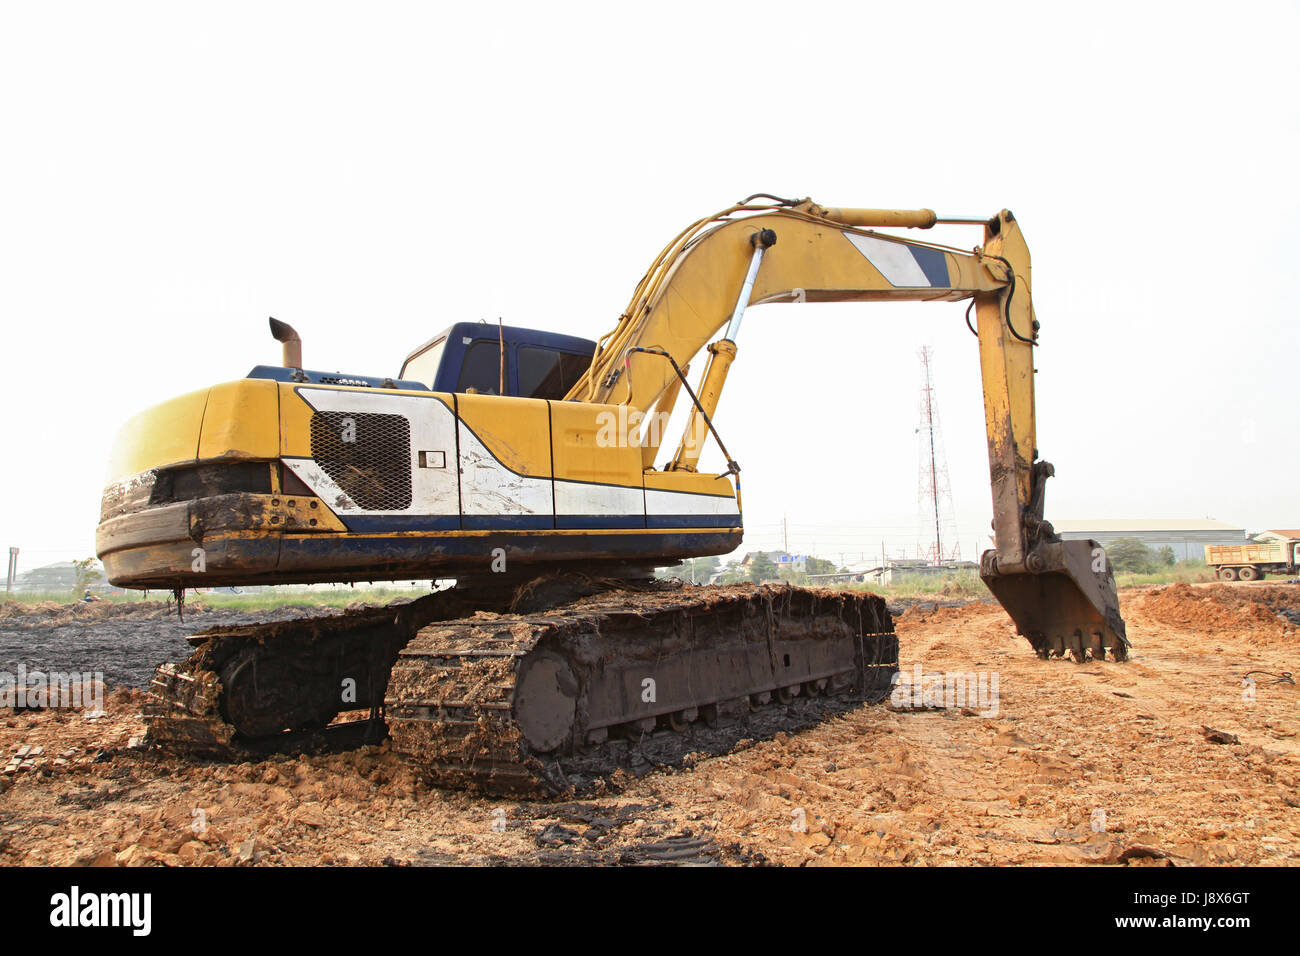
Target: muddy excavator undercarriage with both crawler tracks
541, 687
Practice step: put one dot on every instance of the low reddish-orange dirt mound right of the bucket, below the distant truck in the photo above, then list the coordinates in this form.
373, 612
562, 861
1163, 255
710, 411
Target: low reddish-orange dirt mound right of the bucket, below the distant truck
1217, 609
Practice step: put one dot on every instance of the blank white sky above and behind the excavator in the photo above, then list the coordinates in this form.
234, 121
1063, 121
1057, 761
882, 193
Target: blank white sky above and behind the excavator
172, 175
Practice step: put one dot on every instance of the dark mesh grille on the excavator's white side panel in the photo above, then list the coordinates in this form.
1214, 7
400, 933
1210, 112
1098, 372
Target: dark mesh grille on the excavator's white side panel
369, 456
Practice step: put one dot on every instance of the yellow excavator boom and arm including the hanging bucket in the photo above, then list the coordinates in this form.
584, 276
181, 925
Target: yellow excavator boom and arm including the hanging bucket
1060, 595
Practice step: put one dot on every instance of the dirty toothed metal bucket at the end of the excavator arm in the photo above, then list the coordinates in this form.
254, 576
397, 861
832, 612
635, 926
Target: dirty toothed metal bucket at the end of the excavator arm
1063, 603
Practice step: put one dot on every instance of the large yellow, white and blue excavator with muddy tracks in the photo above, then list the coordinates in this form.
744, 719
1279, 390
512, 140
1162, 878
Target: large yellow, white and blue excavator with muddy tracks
522, 466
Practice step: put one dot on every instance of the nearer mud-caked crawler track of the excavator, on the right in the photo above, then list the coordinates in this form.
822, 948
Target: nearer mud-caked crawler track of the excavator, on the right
560, 702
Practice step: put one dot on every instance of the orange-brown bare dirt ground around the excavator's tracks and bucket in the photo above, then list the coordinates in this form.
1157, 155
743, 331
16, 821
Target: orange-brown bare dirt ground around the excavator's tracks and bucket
1188, 754
